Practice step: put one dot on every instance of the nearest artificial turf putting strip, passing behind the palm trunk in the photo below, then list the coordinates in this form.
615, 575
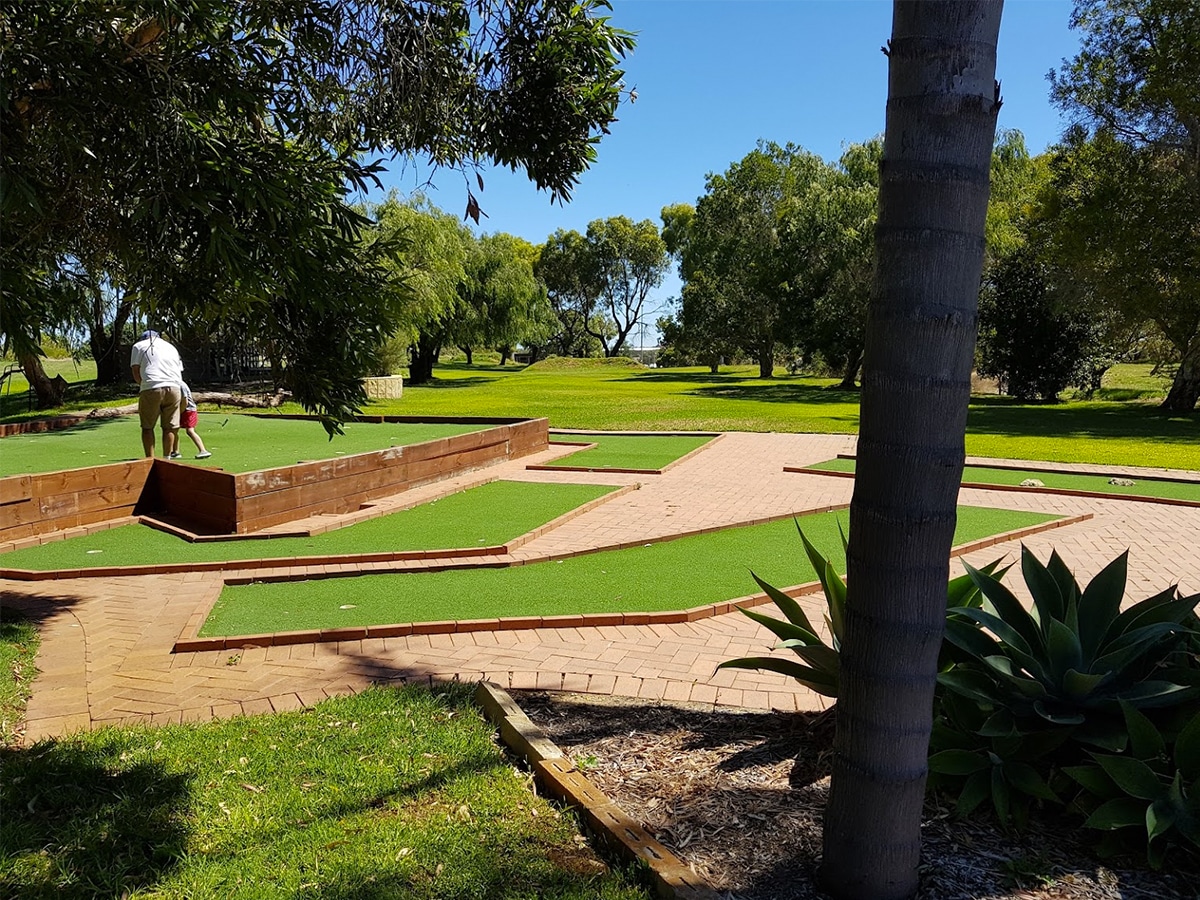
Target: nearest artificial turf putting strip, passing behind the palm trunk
671, 575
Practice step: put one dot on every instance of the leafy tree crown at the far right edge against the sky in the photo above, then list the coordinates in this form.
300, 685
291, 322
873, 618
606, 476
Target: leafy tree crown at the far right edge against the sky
1129, 188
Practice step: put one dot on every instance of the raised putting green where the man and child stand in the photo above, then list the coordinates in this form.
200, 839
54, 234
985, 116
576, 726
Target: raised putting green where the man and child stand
238, 443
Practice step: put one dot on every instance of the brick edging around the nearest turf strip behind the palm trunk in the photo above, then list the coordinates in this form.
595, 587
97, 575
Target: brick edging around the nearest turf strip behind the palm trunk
189, 643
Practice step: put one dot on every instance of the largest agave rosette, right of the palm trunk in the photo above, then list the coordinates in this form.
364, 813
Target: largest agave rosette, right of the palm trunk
1075, 655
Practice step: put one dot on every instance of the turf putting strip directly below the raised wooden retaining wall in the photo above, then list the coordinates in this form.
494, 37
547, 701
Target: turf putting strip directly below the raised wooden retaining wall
484, 517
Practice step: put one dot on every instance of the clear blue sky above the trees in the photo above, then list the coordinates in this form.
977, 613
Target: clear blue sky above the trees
716, 76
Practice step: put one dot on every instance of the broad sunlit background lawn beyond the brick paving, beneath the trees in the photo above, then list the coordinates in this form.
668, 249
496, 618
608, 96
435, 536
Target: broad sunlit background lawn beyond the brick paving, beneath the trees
623, 398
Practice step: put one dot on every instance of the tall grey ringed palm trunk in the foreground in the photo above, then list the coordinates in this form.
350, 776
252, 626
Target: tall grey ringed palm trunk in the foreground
941, 122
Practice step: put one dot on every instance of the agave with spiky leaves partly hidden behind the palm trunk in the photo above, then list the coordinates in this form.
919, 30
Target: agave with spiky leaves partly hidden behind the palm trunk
820, 664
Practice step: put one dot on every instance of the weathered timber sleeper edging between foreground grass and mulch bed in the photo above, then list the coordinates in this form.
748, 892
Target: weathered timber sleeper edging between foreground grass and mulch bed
562, 779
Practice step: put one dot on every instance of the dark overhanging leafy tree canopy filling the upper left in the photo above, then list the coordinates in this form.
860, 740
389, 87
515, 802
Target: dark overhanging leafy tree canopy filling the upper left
199, 153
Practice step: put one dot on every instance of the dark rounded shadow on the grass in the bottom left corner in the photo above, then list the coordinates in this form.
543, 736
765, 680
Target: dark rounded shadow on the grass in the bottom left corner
74, 827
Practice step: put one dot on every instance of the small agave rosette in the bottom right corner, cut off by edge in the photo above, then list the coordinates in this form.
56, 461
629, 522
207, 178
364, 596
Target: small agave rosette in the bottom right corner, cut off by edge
1155, 789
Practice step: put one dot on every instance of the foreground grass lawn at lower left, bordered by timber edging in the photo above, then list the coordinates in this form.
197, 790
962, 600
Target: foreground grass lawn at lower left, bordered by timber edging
392, 794
